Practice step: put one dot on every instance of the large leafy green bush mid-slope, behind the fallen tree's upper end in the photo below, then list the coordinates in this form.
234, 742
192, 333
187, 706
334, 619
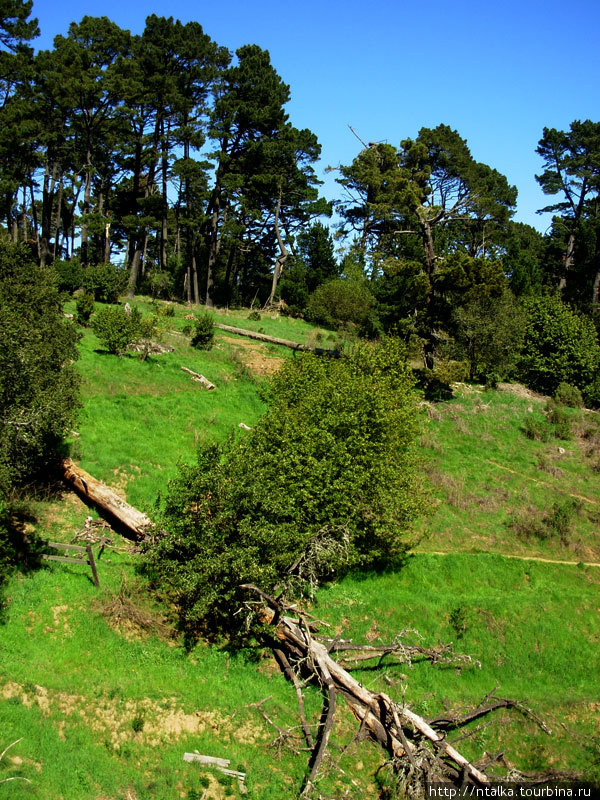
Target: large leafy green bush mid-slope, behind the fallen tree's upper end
326, 480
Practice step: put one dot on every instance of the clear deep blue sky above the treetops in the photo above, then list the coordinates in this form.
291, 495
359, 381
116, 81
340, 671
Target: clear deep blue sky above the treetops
496, 73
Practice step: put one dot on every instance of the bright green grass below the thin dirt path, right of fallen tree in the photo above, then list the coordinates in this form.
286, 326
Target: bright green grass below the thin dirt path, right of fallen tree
534, 627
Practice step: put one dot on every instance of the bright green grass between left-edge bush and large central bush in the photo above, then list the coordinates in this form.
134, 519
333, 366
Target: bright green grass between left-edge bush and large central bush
141, 418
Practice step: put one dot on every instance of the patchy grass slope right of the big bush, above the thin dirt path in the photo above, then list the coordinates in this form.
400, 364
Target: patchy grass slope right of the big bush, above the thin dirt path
488, 480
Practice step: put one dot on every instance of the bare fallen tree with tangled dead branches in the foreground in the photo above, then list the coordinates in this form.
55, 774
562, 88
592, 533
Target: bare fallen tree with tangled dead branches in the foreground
418, 750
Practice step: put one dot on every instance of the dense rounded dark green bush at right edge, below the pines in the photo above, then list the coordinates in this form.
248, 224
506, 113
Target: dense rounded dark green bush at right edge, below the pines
560, 346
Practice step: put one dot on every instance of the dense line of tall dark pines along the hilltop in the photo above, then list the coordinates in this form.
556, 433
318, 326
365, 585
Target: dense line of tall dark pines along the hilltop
162, 163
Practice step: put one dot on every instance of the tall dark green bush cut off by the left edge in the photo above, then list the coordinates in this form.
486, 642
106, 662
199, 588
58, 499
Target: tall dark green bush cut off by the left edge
38, 384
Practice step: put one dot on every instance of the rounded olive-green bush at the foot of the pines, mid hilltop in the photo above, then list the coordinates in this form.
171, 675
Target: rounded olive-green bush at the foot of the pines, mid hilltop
340, 301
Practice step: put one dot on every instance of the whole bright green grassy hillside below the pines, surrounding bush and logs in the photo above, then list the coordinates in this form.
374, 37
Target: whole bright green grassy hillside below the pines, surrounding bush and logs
107, 698
